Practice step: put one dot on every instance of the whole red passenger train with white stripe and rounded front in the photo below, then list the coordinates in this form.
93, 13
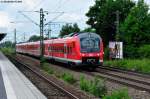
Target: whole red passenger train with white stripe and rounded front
74, 49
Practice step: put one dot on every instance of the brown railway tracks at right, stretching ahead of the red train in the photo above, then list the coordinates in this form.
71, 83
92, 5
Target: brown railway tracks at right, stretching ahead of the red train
128, 78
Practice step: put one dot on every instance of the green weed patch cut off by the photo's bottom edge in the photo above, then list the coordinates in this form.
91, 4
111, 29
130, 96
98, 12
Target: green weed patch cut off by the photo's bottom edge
118, 94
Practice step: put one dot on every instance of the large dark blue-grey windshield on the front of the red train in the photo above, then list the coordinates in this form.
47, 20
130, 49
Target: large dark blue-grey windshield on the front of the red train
90, 43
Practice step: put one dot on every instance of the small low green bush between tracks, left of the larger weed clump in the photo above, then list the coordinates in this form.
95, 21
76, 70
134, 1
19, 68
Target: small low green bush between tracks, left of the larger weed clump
68, 78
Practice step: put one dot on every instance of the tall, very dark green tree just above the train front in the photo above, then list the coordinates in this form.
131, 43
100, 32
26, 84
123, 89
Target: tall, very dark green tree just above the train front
102, 16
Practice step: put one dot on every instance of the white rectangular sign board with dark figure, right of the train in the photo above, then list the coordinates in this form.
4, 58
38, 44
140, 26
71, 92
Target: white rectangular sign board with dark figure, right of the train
116, 50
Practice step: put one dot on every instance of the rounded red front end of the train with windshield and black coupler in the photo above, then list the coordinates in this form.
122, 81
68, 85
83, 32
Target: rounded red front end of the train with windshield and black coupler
91, 49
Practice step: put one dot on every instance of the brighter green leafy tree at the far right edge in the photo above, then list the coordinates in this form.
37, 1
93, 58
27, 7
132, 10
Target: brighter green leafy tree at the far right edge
135, 29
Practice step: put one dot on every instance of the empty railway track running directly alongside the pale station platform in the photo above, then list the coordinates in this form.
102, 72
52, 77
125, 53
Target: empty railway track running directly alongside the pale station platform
63, 93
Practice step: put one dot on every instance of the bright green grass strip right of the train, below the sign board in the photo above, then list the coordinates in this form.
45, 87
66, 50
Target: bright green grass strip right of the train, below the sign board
142, 65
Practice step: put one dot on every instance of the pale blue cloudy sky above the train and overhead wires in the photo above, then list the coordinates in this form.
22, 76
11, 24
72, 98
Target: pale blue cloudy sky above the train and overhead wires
10, 18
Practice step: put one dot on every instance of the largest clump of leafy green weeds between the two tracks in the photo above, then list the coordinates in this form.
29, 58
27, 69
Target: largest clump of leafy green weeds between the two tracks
95, 87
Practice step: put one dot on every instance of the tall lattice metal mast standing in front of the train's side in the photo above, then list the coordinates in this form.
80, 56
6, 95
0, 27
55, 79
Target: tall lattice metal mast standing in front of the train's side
41, 35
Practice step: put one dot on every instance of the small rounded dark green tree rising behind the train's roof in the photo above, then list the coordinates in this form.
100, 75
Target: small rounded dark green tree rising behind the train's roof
67, 29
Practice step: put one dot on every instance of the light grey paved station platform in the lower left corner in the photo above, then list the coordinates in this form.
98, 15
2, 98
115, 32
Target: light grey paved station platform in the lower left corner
13, 84
